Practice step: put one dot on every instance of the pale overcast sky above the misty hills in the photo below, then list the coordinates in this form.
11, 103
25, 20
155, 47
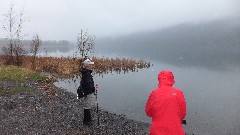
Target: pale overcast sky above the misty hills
63, 19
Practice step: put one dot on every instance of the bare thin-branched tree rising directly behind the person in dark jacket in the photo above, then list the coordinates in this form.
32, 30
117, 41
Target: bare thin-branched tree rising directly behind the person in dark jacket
85, 43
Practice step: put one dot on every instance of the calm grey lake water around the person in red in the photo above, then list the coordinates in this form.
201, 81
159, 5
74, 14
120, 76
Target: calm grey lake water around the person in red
213, 97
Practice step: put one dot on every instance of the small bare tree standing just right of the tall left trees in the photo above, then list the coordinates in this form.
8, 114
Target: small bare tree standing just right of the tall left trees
35, 44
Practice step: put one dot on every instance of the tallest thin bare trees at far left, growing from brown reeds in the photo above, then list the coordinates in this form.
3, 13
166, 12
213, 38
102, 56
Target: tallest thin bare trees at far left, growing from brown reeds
13, 26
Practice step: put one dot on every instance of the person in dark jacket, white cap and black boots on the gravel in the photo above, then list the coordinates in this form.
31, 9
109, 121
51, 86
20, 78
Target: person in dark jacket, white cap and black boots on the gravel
89, 90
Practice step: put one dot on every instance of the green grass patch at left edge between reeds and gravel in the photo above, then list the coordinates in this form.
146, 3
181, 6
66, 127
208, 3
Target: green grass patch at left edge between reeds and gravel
18, 76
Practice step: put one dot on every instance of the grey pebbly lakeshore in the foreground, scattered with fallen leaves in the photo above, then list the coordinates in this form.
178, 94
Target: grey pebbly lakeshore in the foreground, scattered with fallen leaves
47, 110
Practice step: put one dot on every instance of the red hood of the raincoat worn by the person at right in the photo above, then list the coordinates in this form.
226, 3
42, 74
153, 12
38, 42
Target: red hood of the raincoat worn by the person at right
166, 77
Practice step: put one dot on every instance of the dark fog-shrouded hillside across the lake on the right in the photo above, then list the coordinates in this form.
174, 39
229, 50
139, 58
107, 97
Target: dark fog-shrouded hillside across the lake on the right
212, 45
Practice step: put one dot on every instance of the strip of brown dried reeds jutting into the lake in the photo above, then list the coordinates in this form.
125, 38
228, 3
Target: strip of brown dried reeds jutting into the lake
72, 66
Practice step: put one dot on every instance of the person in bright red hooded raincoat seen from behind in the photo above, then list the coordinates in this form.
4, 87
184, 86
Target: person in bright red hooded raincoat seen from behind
166, 106
